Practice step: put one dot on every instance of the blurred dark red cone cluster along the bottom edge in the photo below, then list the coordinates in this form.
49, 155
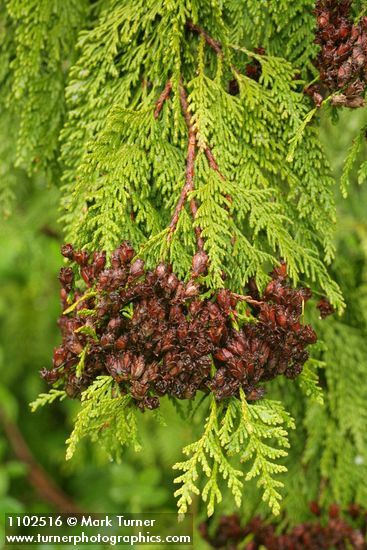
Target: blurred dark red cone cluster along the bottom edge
336, 533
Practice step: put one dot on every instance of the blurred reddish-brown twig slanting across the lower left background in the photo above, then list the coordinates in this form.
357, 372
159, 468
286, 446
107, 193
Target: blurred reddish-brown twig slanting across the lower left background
41, 481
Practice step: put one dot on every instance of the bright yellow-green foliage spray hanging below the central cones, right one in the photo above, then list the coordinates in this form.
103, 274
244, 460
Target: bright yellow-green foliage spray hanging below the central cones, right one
256, 433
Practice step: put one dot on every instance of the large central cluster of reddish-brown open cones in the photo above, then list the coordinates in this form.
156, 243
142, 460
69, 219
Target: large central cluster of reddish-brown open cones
156, 335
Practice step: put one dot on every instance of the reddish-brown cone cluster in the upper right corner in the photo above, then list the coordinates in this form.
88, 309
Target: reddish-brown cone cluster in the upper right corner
342, 61
